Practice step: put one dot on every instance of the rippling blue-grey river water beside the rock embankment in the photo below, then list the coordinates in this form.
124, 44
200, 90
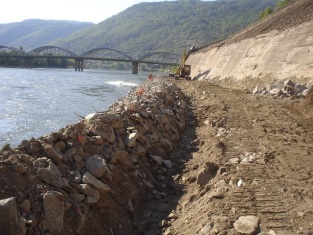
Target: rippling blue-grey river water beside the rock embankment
34, 102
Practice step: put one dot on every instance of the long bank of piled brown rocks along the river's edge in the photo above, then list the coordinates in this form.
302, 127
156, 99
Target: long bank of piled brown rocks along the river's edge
93, 175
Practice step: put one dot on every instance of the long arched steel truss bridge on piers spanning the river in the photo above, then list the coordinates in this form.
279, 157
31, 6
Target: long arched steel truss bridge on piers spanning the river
105, 54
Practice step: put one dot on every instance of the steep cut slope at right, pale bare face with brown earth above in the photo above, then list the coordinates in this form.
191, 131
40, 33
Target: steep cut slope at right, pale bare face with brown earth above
280, 47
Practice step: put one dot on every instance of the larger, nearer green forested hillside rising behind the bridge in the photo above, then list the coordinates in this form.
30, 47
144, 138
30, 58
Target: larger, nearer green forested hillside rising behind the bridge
168, 26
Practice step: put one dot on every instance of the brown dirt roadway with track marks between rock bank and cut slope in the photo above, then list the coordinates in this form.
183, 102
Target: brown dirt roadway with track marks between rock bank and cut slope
258, 151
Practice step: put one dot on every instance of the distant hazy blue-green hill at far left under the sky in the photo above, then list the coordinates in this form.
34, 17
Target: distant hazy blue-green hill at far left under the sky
34, 32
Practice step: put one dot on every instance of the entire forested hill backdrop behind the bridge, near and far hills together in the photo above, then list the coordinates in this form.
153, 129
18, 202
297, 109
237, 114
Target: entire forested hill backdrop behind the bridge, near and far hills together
145, 27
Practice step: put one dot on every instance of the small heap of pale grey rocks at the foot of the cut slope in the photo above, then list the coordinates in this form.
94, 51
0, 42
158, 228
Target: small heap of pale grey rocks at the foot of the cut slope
285, 88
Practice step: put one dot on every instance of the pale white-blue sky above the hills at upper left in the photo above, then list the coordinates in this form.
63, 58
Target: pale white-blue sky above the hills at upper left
93, 11
